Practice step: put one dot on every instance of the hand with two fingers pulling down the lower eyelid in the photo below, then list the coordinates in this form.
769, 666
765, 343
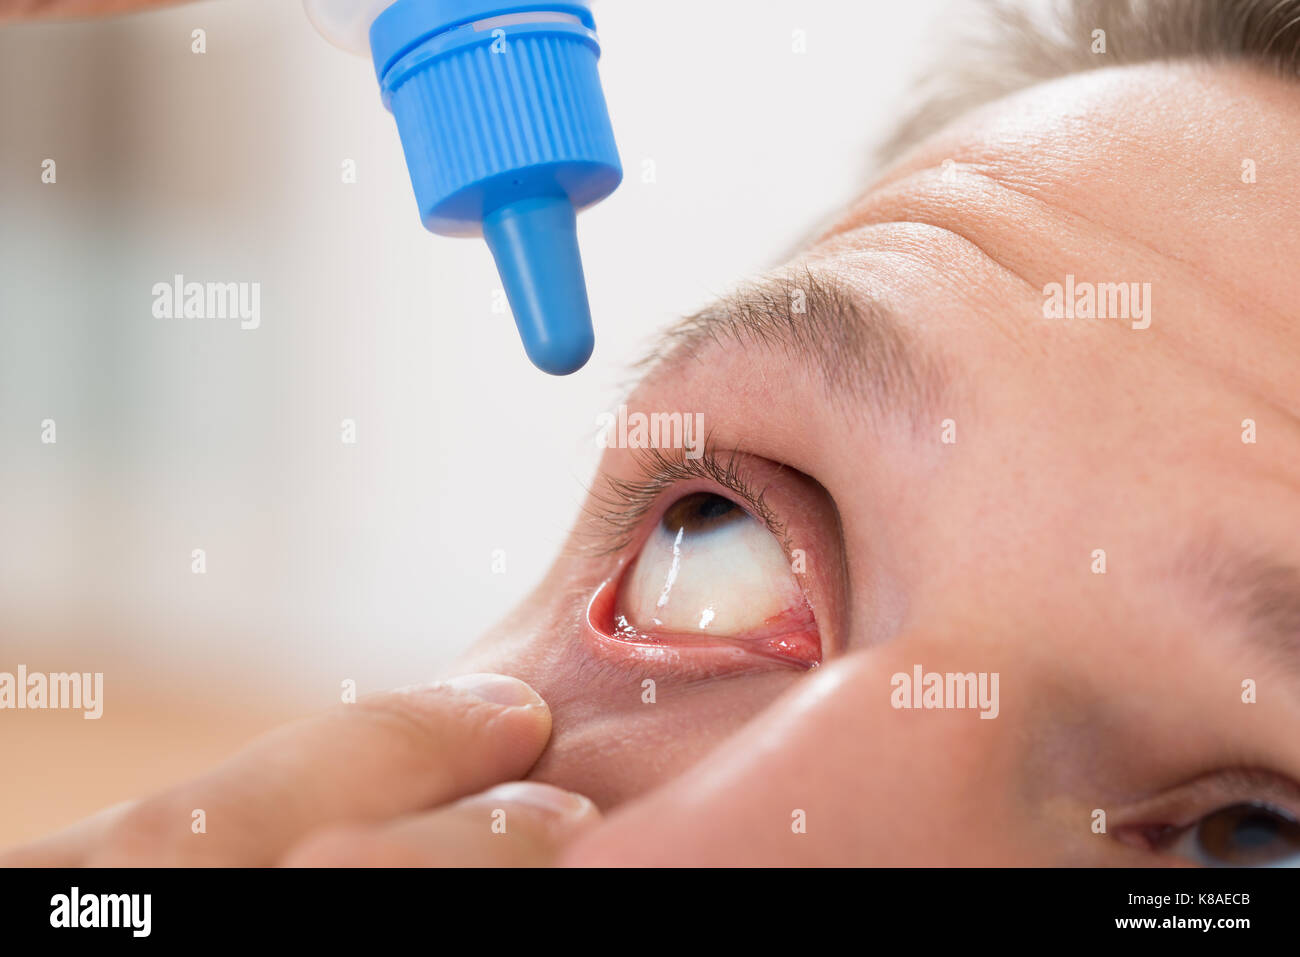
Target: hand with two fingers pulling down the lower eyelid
392, 781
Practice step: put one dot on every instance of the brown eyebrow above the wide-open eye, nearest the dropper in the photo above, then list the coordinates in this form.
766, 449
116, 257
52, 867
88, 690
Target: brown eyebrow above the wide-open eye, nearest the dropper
863, 350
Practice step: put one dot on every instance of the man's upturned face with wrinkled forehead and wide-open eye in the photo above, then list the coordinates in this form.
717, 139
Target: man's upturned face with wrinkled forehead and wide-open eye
952, 480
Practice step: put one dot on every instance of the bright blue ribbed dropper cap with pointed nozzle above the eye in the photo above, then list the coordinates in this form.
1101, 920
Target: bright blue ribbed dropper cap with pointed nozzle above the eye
506, 136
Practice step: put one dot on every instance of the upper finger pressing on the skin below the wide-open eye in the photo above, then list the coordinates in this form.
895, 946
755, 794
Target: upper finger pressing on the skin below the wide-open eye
384, 756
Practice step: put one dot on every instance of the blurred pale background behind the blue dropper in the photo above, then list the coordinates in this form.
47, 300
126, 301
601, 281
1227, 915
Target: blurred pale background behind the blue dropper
328, 561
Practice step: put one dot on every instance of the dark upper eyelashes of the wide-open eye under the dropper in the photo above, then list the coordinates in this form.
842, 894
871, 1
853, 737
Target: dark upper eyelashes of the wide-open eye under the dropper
619, 509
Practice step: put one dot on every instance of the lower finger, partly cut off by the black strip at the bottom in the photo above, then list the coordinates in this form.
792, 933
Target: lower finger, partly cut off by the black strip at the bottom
517, 825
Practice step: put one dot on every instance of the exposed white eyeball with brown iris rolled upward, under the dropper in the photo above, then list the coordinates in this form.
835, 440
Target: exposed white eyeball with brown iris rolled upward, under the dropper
710, 569
